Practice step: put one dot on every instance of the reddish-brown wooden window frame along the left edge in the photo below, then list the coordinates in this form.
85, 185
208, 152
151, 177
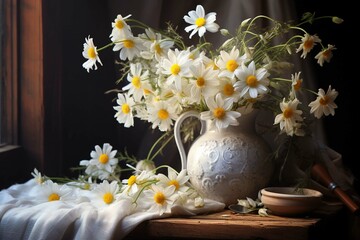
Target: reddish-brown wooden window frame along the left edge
33, 87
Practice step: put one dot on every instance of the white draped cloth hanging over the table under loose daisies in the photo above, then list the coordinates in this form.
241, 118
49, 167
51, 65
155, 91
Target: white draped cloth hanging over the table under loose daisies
22, 217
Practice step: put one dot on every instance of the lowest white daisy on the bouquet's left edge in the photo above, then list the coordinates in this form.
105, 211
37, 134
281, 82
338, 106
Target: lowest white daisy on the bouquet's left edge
124, 110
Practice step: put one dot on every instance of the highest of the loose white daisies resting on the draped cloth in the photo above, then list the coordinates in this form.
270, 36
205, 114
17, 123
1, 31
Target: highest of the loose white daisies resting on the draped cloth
102, 163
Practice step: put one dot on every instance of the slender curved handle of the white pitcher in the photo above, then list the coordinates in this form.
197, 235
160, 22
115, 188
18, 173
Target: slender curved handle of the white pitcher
177, 134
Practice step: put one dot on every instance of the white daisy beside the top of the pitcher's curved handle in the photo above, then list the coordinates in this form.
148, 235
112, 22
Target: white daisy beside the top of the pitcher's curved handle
162, 115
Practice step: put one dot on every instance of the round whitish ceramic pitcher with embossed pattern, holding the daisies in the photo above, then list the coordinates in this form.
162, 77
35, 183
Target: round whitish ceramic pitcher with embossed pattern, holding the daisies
227, 164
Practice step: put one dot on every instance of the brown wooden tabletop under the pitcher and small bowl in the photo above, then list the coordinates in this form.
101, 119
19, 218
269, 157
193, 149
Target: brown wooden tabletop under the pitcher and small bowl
229, 225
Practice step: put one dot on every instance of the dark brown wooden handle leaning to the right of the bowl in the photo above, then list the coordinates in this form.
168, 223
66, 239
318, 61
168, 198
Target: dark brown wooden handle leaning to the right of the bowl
319, 173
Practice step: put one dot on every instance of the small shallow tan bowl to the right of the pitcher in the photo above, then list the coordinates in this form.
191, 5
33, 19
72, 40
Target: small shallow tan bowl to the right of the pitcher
290, 201
